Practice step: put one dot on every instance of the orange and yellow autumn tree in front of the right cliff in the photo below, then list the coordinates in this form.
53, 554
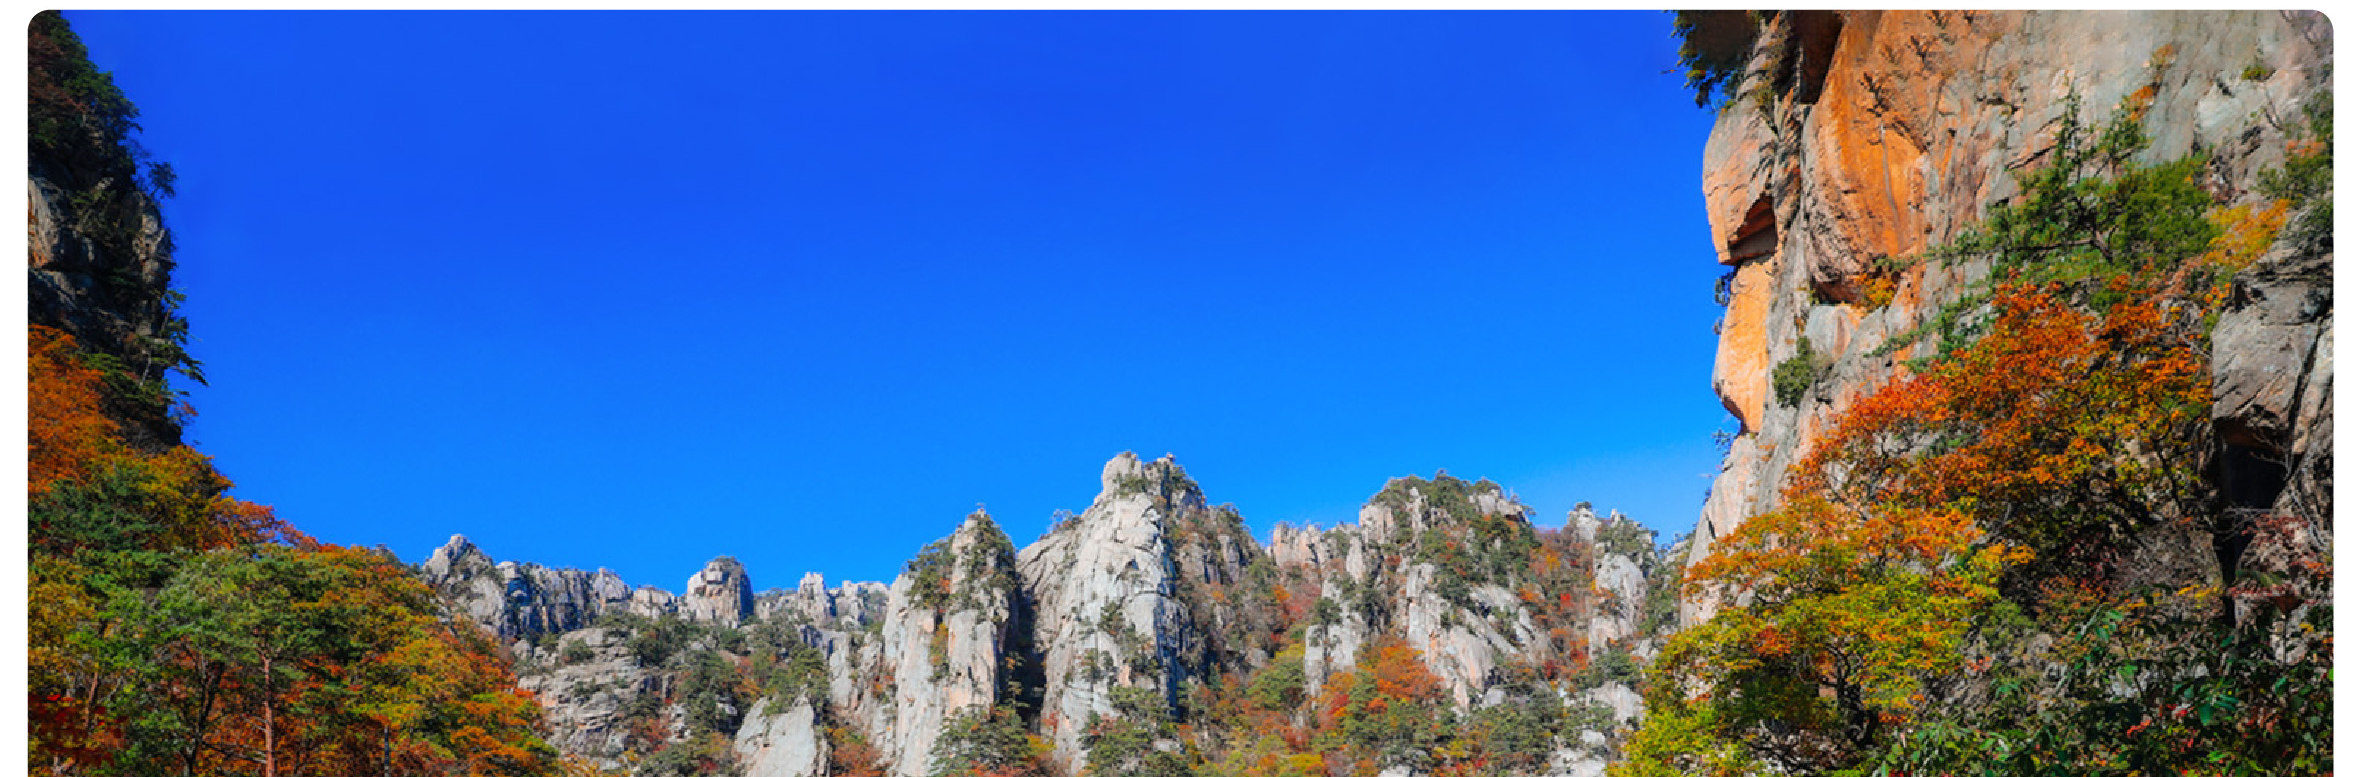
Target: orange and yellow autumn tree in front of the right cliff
1857, 603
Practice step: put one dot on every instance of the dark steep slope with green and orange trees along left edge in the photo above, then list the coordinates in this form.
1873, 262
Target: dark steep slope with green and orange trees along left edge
176, 629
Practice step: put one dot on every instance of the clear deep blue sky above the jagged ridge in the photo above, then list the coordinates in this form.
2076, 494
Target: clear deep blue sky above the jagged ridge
643, 289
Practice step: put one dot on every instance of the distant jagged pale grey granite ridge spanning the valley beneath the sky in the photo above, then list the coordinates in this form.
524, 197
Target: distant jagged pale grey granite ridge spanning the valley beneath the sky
1151, 594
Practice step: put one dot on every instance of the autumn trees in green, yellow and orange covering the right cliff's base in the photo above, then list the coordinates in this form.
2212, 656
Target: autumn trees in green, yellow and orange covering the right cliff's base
1947, 592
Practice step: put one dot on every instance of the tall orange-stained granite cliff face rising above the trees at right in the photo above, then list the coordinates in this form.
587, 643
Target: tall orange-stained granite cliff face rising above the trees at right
1878, 136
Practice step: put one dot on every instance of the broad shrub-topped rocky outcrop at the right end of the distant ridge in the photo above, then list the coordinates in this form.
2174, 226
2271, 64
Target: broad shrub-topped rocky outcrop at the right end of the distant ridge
1472, 622
